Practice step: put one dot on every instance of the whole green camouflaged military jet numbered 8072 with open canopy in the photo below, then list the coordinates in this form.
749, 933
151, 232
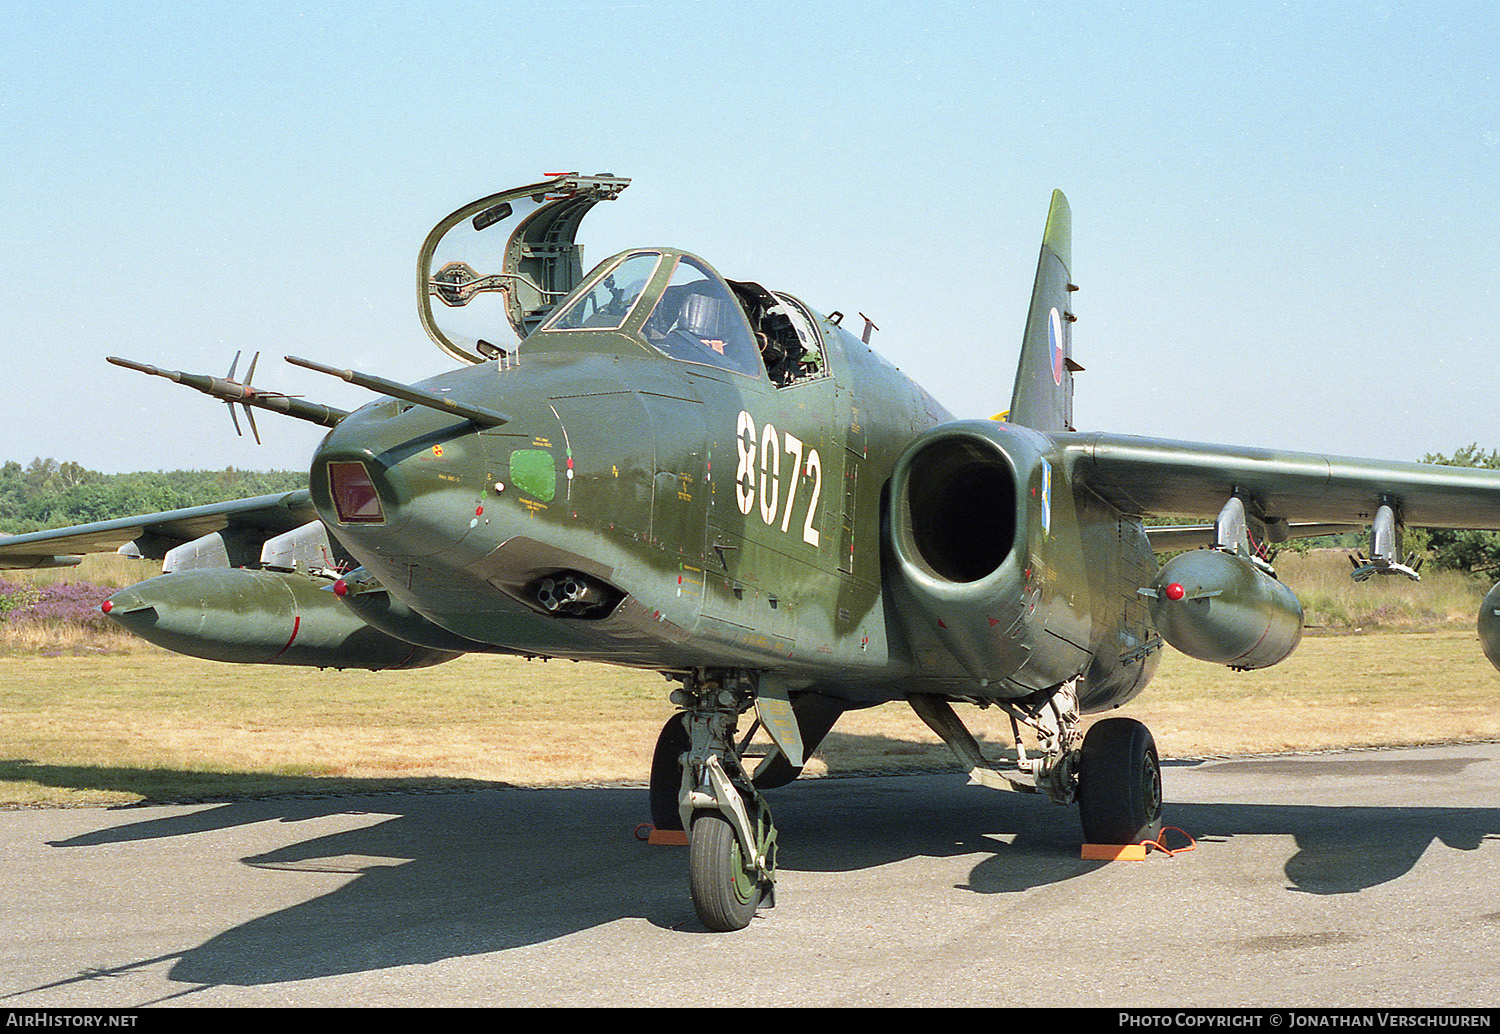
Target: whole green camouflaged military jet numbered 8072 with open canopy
707, 478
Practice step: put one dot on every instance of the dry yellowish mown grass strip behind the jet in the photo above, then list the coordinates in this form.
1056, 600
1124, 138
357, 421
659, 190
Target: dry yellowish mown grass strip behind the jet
158, 727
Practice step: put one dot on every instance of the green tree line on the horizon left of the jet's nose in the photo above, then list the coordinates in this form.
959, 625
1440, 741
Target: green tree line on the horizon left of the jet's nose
52, 494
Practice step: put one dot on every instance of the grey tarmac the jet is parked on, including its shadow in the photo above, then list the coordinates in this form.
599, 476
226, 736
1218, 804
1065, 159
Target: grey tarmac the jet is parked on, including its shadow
1361, 879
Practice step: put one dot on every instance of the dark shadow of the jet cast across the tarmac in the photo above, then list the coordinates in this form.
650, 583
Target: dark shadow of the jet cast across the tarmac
458, 874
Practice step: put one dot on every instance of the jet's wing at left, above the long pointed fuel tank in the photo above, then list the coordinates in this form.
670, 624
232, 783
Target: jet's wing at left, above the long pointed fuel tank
263, 515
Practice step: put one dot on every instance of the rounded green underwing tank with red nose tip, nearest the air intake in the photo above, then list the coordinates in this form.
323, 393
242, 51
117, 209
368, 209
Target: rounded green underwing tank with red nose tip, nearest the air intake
1217, 607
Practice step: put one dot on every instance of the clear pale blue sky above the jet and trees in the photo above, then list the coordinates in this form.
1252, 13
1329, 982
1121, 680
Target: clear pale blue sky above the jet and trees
1286, 224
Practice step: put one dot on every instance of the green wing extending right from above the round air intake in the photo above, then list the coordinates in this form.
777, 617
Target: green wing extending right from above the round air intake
1162, 478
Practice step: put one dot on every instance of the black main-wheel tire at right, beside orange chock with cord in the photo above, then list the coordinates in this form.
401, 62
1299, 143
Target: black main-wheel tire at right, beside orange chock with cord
1120, 784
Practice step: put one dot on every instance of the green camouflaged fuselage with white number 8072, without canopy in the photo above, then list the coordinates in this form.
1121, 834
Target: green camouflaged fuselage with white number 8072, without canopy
740, 523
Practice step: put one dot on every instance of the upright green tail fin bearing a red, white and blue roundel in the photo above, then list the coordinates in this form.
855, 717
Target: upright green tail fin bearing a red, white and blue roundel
1043, 397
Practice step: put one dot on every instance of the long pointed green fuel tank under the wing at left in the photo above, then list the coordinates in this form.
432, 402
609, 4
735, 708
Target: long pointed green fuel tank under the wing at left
259, 618
